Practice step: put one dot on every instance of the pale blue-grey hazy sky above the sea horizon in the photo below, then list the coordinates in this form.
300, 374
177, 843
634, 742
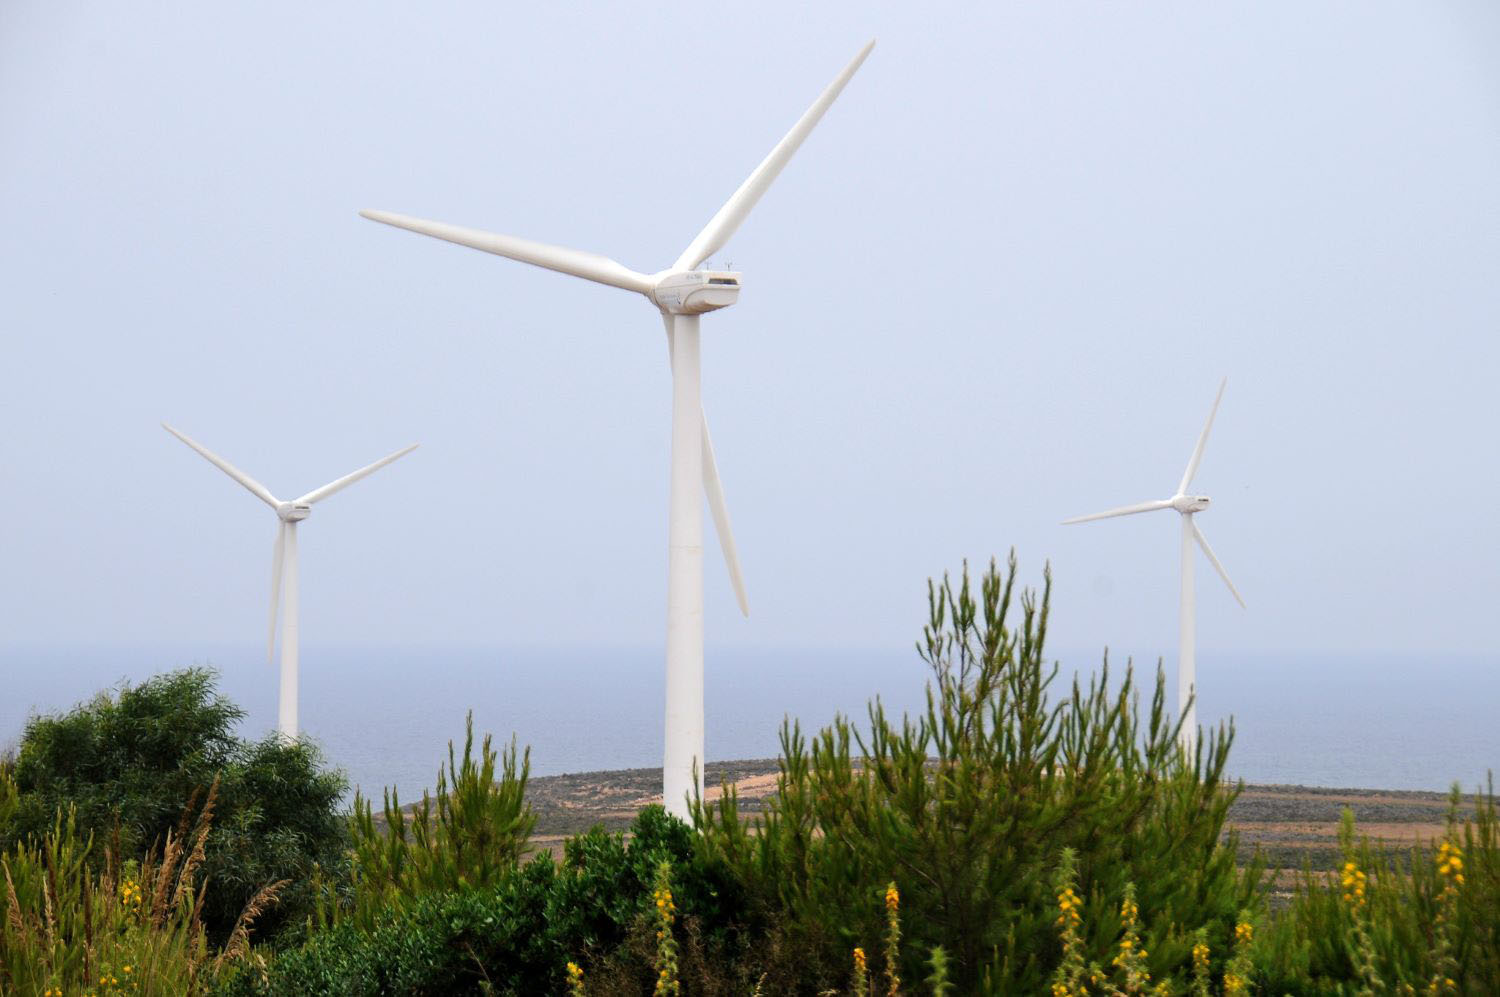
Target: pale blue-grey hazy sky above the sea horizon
998, 287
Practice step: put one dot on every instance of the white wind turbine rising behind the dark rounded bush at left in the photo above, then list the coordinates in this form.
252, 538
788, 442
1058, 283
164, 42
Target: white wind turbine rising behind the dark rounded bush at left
284, 564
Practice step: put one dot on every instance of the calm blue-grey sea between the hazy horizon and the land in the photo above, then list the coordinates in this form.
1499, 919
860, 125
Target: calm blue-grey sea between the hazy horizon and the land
386, 716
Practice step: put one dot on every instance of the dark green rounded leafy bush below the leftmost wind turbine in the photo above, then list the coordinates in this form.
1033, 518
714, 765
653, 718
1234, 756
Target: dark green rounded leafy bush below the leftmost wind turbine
130, 762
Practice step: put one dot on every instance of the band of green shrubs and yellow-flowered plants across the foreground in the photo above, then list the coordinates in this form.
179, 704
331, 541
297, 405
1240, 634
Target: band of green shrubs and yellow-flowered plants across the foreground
1013, 839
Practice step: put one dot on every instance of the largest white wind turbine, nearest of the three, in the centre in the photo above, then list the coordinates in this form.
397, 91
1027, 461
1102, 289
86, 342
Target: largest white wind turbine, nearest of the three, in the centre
682, 293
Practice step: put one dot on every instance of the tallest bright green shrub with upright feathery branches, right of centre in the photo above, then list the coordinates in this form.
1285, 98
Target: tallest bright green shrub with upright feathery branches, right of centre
970, 806
